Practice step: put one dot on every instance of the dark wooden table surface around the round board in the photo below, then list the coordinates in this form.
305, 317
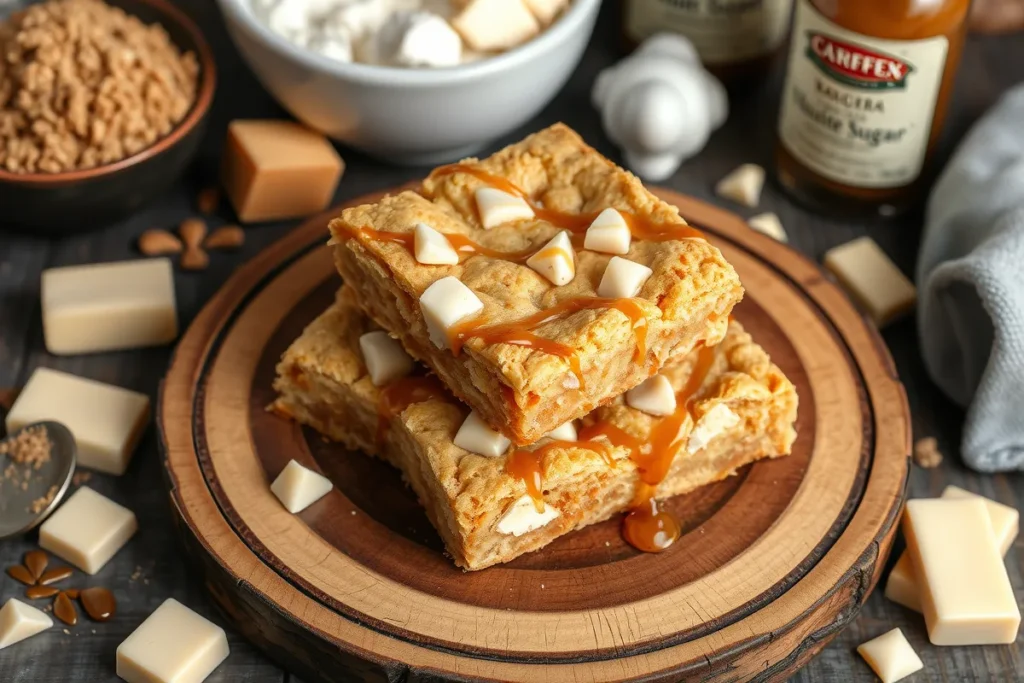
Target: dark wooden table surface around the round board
150, 569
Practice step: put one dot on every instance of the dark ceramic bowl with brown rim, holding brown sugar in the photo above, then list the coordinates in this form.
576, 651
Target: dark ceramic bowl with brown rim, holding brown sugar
57, 204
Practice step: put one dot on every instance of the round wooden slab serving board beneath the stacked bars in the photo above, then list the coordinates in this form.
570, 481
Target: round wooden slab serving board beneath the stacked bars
773, 564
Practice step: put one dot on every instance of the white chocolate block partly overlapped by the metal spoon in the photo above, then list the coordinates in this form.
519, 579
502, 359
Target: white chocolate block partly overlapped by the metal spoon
107, 421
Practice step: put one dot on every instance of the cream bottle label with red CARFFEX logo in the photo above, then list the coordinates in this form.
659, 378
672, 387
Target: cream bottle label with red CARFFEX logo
859, 110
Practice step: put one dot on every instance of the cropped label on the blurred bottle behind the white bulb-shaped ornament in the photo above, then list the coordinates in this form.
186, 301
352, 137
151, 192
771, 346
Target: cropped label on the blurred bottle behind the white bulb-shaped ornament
722, 31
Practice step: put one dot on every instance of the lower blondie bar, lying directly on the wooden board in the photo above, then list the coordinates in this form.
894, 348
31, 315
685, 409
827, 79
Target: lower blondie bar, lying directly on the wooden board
483, 506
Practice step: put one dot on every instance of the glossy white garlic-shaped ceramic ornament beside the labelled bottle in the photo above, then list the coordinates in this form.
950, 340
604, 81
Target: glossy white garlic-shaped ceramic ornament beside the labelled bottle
660, 106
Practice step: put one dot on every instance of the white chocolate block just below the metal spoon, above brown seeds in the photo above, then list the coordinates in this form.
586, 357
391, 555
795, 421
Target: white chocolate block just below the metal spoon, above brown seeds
89, 530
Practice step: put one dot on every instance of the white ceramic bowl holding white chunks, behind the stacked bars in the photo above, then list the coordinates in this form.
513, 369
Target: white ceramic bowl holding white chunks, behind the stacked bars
414, 116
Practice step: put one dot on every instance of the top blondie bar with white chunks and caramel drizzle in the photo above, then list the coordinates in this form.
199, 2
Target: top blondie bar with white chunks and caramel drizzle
538, 284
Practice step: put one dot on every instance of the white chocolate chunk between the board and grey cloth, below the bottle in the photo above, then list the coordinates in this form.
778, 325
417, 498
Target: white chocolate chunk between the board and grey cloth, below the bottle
873, 280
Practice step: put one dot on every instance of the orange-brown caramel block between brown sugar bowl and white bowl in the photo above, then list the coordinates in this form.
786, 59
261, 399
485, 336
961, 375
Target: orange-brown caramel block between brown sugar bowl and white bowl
275, 170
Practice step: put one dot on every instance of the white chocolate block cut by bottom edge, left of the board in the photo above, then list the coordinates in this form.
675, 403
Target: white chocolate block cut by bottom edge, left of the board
173, 646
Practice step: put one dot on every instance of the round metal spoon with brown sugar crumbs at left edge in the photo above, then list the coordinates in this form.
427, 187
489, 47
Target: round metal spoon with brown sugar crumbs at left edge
16, 515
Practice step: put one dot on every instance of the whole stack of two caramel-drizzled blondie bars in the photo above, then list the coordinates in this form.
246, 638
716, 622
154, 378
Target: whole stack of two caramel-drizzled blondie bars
538, 344
